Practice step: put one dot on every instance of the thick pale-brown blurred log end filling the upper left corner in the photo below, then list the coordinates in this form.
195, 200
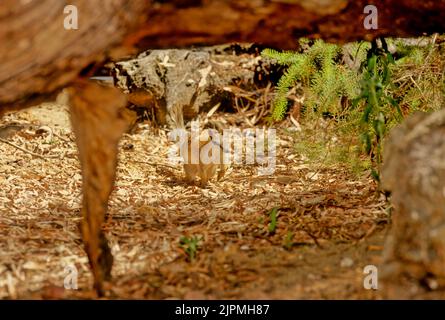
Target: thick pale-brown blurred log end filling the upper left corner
38, 55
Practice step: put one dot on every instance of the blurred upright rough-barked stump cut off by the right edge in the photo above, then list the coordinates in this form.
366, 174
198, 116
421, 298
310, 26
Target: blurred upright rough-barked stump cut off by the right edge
414, 172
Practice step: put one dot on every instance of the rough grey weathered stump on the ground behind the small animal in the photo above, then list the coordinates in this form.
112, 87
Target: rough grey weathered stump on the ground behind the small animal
180, 83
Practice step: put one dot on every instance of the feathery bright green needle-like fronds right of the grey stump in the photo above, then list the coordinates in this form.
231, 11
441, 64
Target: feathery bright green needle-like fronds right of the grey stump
317, 68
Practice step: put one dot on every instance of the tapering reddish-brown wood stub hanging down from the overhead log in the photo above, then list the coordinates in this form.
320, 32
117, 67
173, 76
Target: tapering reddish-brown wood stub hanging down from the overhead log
98, 122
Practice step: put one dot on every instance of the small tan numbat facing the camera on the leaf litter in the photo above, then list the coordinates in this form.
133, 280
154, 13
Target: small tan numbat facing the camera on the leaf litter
204, 157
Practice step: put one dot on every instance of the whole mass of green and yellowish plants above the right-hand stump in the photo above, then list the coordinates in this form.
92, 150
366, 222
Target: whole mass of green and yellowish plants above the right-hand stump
364, 90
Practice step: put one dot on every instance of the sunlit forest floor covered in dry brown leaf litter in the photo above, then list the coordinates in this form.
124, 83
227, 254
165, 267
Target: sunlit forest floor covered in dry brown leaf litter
330, 223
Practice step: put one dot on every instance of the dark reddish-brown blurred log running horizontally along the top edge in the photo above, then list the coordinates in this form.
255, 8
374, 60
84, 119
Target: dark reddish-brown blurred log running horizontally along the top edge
279, 22
